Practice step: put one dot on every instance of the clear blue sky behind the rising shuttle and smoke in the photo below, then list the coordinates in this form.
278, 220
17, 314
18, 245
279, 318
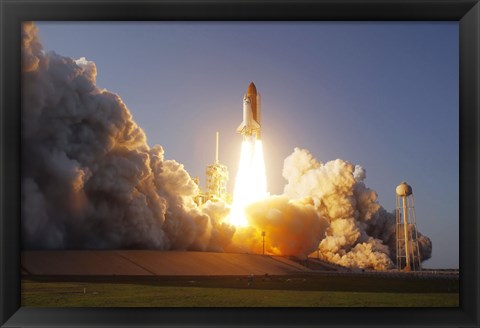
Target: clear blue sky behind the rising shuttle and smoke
382, 95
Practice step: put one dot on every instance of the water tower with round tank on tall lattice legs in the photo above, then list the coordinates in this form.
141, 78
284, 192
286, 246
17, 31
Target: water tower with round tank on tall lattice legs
408, 252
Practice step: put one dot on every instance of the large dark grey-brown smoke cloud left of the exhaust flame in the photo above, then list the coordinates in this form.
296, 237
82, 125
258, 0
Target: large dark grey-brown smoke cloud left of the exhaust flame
89, 179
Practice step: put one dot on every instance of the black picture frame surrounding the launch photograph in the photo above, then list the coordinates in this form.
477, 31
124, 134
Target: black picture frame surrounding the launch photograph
13, 12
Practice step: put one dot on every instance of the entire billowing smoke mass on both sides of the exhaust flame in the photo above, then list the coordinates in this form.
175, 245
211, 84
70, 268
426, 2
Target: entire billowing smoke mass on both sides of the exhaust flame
90, 180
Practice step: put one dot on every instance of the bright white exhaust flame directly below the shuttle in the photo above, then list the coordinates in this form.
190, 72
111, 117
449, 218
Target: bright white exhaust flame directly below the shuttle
250, 183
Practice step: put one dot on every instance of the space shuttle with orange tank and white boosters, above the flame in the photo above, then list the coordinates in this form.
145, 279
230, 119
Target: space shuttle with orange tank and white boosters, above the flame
251, 113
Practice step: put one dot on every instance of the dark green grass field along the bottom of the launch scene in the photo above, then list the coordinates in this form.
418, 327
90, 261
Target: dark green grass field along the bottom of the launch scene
308, 291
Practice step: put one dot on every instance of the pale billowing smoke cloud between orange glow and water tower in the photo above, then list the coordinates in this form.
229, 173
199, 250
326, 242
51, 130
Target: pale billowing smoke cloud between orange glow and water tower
360, 233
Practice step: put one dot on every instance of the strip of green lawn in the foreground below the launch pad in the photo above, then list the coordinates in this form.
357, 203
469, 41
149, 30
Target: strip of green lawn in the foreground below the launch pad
119, 294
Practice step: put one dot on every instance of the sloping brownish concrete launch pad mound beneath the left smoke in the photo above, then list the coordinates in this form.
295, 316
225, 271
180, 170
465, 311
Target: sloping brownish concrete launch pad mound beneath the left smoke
158, 263
